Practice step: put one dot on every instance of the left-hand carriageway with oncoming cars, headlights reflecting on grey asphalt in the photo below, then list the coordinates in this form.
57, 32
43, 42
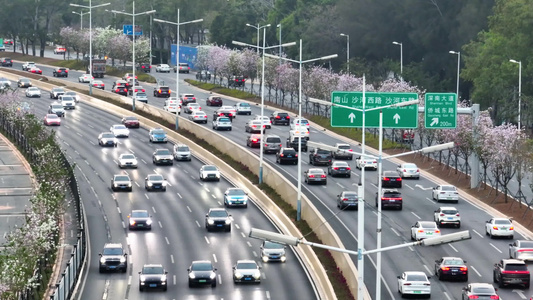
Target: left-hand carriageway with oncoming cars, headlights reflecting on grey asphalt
178, 235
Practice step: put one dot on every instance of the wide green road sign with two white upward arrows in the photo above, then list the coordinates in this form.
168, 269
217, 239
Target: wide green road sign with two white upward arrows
393, 117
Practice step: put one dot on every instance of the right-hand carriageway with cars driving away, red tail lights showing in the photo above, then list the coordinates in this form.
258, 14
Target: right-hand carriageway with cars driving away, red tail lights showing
480, 252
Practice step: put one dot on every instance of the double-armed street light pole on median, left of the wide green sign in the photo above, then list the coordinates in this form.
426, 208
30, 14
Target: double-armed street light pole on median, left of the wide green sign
301, 62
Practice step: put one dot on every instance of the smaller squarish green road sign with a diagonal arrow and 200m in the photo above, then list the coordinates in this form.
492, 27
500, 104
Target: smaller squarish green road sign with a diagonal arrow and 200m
440, 111
